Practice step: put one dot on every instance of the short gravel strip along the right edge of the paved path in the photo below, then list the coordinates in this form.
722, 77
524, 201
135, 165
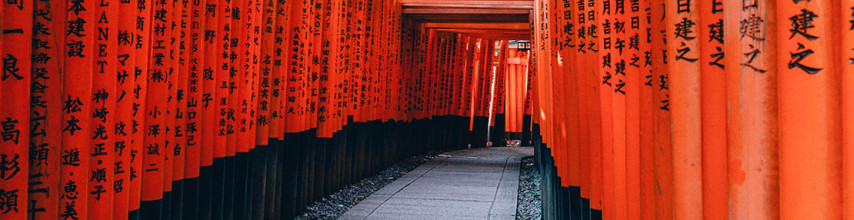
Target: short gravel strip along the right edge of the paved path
530, 200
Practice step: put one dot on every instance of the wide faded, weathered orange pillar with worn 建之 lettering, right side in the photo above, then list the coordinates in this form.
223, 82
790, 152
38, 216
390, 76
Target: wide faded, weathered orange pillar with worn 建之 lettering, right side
751, 80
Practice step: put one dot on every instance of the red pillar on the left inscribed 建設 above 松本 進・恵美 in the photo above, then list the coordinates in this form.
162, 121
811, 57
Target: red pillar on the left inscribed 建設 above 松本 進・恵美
76, 96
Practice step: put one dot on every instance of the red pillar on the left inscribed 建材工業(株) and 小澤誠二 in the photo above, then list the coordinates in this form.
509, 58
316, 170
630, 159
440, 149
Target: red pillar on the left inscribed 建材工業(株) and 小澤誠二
155, 110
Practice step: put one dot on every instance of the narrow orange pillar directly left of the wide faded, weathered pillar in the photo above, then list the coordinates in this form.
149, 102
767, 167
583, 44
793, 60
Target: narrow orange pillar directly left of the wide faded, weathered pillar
713, 107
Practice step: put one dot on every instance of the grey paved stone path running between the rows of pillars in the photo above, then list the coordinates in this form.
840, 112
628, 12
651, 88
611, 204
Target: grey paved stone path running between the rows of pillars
465, 184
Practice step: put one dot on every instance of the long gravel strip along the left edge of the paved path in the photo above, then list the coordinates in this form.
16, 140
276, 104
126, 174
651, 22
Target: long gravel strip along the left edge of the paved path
337, 204
